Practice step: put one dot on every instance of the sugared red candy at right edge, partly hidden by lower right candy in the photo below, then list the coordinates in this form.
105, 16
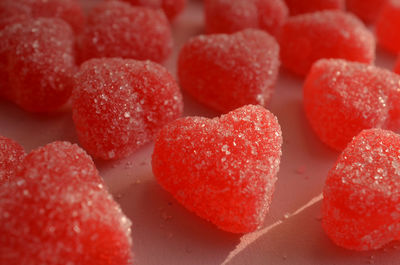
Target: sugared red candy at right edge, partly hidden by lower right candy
343, 98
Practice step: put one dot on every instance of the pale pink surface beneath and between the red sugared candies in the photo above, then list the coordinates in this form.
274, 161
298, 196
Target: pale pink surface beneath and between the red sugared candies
164, 233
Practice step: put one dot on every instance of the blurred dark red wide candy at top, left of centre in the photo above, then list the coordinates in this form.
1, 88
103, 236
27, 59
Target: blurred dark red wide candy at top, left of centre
117, 29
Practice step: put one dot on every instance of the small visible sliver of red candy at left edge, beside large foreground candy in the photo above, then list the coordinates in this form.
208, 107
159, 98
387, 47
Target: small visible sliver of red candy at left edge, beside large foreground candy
11, 156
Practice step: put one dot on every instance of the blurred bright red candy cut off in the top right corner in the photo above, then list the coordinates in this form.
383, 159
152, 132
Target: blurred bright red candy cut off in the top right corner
388, 26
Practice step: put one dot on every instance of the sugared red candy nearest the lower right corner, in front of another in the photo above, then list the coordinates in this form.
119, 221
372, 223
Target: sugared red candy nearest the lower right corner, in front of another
360, 208
